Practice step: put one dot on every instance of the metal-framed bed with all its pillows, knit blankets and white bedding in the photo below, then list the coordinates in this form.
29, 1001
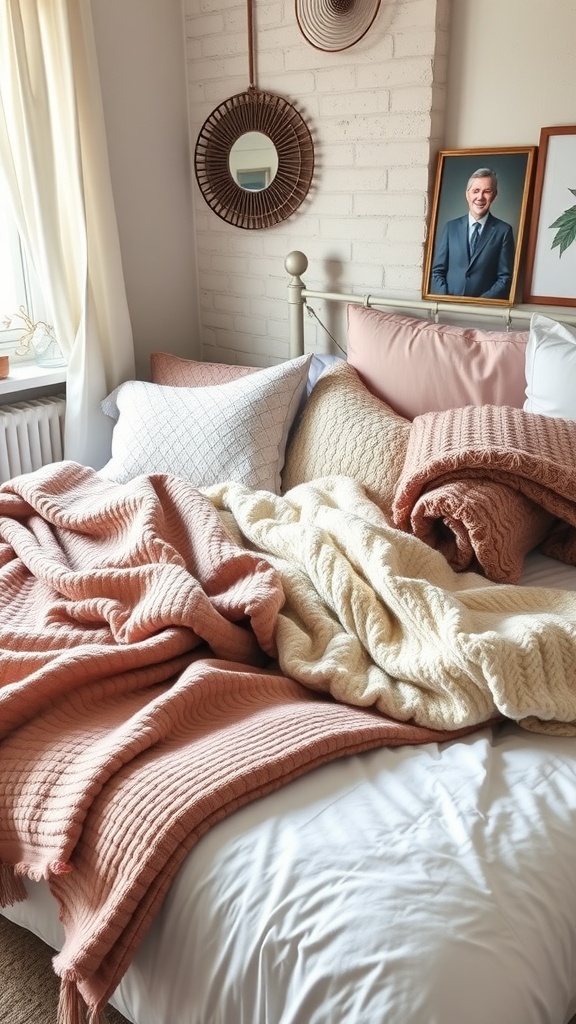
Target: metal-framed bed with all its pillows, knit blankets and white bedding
362, 805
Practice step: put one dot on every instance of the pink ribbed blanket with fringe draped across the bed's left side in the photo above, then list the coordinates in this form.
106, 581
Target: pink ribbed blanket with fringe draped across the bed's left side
139, 705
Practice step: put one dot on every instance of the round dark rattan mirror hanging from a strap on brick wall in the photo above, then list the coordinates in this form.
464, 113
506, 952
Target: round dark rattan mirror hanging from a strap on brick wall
260, 140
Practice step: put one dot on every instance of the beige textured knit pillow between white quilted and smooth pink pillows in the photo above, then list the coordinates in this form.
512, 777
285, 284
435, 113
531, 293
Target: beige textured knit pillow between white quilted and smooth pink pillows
347, 432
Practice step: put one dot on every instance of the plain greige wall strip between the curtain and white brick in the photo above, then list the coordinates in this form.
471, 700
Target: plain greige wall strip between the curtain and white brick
141, 50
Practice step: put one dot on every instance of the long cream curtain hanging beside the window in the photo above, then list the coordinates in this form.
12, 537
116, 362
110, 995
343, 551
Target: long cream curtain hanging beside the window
55, 158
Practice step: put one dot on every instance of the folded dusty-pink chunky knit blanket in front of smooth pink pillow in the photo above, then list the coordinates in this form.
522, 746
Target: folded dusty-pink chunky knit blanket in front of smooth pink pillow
486, 485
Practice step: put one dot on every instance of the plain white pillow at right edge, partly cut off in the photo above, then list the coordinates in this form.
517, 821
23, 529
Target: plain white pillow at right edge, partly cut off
551, 369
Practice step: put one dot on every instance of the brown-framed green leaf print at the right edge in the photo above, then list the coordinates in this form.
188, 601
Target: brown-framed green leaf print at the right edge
541, 240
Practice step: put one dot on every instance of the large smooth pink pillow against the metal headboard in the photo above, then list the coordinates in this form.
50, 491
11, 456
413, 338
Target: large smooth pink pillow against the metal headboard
419, 367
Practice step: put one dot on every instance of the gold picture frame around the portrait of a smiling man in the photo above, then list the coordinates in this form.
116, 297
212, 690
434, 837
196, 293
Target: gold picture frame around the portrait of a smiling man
468, 161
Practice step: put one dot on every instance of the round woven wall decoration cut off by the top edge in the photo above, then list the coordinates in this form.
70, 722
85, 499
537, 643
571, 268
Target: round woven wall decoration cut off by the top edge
336, 25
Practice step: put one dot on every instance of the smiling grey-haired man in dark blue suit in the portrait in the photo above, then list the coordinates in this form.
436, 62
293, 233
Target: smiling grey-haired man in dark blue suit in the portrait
476, 253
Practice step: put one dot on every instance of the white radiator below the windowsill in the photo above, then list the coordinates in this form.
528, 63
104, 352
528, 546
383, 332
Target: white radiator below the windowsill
31, 436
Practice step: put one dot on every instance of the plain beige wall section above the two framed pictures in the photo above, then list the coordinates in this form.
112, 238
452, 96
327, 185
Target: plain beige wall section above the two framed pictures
511, 71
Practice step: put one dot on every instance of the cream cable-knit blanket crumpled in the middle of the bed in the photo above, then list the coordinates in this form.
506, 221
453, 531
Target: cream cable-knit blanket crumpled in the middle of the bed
396, 627
